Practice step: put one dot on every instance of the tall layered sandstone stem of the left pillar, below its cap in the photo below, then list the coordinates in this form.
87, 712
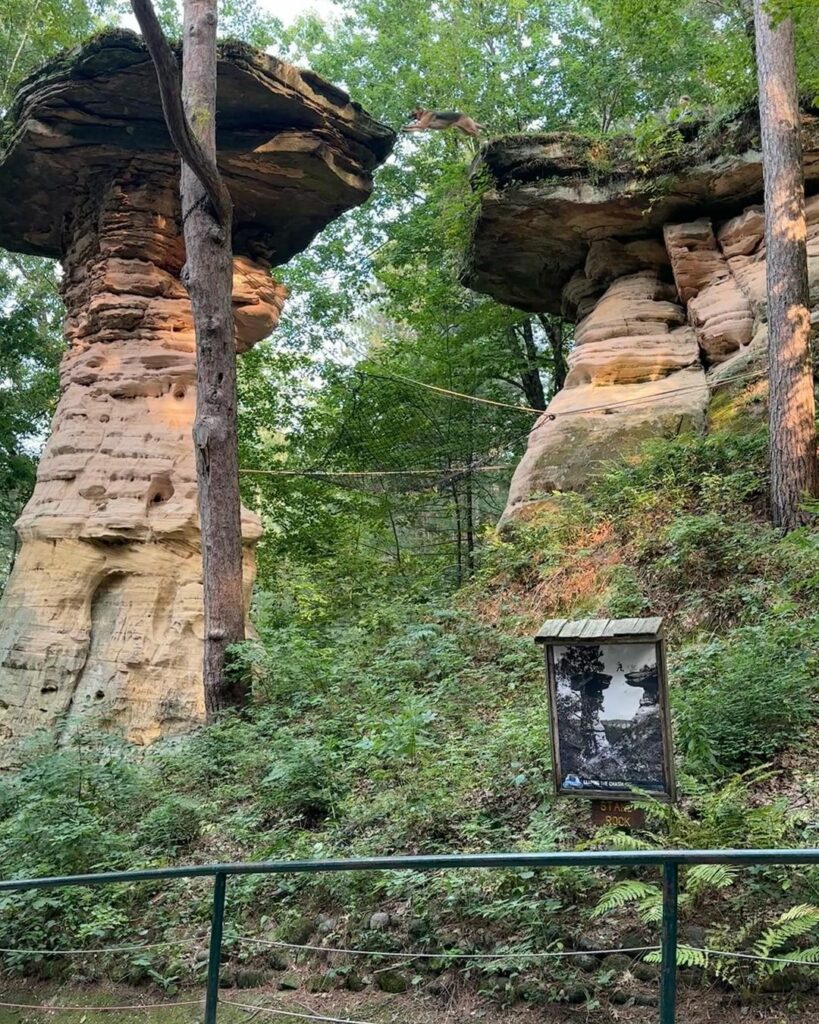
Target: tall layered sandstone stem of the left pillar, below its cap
102, 619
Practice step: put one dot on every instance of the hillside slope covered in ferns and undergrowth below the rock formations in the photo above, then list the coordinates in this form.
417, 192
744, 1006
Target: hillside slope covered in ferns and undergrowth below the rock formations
415, 727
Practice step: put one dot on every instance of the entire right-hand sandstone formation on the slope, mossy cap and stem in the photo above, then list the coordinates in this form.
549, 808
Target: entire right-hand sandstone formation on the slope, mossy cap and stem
663, 273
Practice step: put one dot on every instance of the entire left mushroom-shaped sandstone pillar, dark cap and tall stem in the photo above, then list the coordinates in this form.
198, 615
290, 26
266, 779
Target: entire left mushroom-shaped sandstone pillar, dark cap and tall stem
102, 618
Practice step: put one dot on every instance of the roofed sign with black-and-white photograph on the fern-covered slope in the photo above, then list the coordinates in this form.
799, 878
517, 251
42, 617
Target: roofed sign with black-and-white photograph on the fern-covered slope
609, 703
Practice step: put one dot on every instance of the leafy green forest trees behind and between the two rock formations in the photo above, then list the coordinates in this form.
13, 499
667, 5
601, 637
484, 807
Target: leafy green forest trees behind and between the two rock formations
377, 297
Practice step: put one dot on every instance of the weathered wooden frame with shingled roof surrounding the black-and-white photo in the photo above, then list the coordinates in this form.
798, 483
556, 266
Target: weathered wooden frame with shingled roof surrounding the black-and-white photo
606, 634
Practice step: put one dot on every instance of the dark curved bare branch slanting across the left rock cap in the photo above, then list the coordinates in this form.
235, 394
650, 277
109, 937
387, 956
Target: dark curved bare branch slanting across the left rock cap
184, 140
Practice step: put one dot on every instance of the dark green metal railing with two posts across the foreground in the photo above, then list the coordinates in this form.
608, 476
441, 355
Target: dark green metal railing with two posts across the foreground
669, 861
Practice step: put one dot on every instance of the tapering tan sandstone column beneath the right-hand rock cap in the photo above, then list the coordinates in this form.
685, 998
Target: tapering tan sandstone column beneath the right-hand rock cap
635, 373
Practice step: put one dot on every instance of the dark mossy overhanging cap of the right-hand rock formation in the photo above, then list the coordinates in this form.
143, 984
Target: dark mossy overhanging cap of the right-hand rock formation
546, 199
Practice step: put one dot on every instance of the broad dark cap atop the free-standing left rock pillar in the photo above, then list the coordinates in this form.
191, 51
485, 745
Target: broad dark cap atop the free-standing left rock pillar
295, 151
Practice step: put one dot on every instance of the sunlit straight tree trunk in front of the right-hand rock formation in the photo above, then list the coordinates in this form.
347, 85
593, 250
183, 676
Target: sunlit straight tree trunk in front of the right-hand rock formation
792, 406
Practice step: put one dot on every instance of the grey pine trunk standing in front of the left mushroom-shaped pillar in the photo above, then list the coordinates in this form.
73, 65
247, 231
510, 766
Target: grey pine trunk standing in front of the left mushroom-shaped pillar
208, 277
